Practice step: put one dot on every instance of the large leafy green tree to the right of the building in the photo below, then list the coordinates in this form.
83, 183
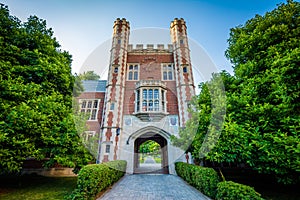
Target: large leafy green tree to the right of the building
261, 127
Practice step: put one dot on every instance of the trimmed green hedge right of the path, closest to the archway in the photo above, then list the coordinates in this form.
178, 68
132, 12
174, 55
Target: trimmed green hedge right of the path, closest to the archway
202, 178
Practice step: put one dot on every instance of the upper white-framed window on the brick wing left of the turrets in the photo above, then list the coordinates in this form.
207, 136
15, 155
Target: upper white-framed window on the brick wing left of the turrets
89, 106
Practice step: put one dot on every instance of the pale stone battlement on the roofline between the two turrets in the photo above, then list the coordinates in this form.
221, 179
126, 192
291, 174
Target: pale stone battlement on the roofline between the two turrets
150, 47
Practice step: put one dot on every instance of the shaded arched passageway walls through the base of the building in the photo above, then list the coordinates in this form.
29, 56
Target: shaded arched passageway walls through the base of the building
164, 167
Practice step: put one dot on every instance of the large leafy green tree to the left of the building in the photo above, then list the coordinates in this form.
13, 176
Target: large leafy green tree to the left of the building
36, 84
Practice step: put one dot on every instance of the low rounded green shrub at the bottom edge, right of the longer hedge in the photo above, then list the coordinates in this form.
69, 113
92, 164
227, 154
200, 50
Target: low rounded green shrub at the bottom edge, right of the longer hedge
231, 190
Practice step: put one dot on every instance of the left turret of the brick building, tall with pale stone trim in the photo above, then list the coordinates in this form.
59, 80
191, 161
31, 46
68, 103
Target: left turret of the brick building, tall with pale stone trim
113, 111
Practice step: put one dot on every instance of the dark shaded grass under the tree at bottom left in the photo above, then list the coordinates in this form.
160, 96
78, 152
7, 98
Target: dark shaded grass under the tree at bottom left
33, 187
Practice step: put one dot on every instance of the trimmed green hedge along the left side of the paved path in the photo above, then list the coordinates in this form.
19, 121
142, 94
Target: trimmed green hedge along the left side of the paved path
94, 178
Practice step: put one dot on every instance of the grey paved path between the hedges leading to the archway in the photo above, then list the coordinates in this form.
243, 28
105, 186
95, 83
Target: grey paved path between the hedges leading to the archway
152, 187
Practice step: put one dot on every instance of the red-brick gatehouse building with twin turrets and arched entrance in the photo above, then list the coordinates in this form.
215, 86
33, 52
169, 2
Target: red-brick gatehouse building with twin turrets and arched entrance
145, 97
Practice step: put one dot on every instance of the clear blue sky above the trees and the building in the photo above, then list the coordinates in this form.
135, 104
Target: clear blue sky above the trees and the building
81, 26
